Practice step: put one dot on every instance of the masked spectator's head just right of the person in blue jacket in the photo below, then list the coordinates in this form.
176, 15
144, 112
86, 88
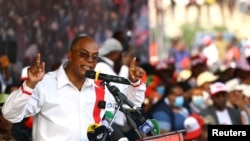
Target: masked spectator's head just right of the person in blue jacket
197, 102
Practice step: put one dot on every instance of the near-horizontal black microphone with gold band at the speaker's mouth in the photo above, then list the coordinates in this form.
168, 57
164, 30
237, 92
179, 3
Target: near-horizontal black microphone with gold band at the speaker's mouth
105, 77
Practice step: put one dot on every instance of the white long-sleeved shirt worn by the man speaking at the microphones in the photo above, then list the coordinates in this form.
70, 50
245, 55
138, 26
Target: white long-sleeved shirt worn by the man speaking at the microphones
61, 112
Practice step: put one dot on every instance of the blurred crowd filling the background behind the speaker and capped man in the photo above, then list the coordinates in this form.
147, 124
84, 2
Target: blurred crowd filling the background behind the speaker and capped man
196, 51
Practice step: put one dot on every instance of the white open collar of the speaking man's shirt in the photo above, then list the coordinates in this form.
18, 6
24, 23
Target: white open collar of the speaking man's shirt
63, 79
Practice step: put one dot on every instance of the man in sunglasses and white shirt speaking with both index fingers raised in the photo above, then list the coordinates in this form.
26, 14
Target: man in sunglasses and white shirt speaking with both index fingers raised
64, 102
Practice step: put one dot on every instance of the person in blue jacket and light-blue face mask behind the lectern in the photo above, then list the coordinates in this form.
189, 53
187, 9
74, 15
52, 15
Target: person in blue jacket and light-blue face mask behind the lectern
169, 110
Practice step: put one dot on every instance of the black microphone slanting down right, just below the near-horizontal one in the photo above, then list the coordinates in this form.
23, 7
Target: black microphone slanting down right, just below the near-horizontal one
120, 96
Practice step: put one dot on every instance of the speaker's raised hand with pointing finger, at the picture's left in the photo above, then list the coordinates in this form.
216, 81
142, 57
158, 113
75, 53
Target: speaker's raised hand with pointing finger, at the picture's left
36, 72
